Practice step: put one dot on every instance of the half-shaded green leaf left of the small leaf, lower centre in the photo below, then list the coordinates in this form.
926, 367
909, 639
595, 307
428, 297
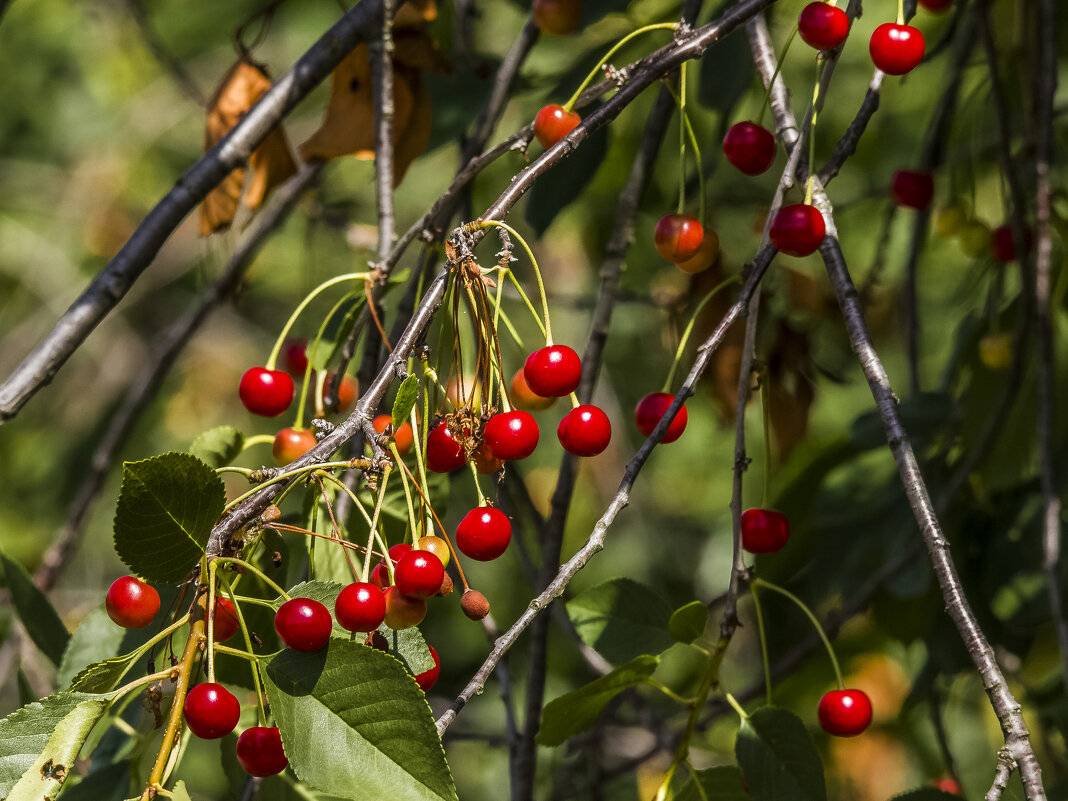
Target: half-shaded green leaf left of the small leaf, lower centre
622, 620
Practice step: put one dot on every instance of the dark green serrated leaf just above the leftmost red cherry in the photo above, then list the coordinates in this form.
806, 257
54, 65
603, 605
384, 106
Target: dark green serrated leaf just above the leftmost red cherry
166, 511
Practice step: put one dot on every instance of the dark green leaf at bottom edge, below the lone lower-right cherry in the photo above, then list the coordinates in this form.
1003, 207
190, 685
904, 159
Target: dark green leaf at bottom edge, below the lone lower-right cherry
778, 758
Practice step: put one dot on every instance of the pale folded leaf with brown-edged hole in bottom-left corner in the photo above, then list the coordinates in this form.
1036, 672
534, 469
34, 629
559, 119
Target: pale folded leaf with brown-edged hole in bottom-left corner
40, 743
